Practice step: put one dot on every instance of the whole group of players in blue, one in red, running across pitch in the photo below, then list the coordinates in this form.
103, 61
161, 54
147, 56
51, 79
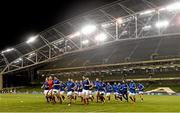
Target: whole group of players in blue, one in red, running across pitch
54, 90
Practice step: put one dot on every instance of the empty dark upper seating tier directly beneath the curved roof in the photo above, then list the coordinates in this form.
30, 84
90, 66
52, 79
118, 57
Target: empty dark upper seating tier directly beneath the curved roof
121, 51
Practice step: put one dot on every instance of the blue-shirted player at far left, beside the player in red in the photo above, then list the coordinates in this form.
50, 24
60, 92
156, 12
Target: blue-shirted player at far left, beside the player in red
46, 89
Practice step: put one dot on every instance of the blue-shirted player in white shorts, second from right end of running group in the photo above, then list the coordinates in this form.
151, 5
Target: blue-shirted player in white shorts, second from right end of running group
132, 91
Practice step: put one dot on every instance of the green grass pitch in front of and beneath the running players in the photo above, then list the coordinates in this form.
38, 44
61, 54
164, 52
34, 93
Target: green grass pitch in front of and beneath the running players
37, 103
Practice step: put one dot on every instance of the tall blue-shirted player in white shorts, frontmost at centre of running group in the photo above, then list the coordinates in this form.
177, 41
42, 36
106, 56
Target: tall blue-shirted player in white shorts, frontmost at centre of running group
86, 86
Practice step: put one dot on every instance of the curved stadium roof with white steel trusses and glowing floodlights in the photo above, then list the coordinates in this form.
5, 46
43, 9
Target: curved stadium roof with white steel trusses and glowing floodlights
112, 21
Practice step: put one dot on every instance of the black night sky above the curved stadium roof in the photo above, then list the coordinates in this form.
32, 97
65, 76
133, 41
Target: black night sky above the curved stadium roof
21, 18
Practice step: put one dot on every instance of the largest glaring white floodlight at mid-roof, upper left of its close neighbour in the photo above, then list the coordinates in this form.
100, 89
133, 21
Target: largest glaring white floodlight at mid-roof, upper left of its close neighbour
88, 29
